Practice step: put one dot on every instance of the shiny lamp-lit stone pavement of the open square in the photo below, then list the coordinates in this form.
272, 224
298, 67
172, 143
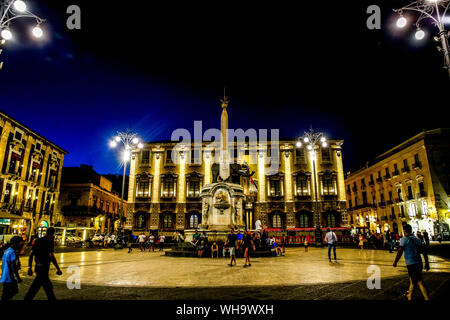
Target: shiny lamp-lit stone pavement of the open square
110, 274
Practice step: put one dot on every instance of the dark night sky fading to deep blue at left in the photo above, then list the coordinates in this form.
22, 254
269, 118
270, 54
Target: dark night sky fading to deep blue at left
154, 67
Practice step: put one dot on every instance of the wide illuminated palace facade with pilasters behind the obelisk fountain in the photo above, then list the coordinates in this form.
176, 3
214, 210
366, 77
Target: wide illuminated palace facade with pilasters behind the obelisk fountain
164, 196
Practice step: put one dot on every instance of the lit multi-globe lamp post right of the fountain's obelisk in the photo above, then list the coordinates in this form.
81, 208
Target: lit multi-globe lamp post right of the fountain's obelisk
313, 139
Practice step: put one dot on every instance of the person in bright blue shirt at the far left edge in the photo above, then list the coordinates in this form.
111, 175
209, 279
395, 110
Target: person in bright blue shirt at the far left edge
10, 268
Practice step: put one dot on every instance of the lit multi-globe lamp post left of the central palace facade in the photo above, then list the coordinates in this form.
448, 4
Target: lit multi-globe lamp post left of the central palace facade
130, 143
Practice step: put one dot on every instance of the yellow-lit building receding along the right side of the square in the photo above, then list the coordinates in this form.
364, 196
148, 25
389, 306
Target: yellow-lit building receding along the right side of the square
408, 184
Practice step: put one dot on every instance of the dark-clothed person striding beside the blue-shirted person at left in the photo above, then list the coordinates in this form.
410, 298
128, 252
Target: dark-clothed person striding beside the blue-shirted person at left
43, 254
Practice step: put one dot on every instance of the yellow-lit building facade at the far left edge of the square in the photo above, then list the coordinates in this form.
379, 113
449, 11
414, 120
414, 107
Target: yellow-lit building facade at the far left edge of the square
30, 178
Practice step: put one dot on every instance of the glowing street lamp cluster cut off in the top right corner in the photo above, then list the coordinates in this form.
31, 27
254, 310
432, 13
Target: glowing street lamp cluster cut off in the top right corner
436, 11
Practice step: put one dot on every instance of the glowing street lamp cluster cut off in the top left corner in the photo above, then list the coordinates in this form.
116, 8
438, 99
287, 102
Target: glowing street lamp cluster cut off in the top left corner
15, 9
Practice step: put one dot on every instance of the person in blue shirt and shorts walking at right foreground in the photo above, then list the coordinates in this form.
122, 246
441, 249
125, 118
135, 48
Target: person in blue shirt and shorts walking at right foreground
412, 247
